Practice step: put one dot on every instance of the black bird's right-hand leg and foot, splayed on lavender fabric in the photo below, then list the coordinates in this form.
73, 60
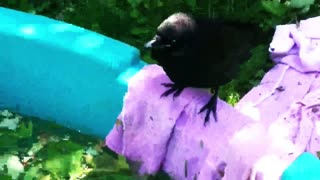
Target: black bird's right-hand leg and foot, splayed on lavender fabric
211, 106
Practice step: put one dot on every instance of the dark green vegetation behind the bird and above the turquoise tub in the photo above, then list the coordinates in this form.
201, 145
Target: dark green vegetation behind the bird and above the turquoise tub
134, 22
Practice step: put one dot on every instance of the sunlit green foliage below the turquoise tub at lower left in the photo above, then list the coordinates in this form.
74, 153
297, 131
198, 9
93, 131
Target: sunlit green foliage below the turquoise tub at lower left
40, 149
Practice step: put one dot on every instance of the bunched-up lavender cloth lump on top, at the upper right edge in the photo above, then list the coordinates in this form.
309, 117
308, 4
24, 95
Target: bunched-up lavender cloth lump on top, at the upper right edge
298, 47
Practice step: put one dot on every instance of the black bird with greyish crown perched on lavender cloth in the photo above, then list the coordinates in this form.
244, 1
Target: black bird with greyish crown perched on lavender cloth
202, 52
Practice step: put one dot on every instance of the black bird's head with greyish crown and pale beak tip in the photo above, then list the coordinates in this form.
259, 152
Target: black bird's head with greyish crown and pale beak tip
172, 37
